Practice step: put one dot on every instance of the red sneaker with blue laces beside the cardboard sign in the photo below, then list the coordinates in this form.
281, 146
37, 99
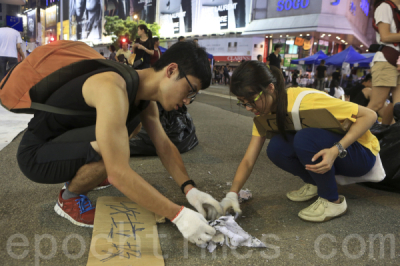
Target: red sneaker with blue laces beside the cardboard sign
78, 210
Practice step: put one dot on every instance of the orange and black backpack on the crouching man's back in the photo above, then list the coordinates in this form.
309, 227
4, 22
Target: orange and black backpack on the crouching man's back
29, 84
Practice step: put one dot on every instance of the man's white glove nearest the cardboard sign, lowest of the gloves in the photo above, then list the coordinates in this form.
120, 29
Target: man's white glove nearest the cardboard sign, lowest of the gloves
194, 226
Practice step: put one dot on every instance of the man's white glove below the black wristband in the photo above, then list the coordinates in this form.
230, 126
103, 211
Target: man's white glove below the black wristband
201, 201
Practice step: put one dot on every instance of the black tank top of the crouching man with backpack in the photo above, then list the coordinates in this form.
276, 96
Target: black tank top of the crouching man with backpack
47, 126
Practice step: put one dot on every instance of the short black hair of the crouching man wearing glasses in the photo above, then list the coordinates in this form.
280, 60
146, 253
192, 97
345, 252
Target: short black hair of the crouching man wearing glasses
195, 62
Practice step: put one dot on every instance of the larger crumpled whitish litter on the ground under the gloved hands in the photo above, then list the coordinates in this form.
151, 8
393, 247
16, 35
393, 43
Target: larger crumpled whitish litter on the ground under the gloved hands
231, 234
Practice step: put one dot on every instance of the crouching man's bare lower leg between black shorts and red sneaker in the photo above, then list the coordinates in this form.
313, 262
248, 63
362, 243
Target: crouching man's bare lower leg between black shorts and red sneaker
88, 177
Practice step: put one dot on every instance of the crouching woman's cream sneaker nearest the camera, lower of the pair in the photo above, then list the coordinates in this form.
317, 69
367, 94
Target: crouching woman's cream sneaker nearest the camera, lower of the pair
323, 210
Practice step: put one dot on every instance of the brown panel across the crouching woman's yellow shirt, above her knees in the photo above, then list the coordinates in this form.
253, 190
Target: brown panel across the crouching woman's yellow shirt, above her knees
316, 118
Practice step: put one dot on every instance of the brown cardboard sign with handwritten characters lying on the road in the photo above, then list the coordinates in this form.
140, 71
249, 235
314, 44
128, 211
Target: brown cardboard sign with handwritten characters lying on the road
124, 233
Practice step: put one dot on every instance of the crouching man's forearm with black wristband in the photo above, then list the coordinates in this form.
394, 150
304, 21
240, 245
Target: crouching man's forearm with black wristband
172, 161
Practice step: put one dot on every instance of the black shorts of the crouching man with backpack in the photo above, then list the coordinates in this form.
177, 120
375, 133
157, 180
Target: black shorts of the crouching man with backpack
56, 161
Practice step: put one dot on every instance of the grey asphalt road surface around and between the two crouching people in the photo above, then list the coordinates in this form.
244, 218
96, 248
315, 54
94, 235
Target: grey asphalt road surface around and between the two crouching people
224, 133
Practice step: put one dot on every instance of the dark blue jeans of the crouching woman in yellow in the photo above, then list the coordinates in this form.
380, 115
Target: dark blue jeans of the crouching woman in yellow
294, 154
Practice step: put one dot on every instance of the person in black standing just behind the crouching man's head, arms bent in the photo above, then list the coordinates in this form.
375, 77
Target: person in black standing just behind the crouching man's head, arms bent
143, 48
